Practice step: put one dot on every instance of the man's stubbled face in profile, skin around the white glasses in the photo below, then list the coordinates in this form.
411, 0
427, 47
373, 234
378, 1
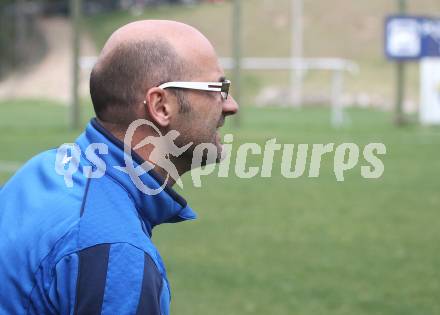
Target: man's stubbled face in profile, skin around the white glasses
208, 109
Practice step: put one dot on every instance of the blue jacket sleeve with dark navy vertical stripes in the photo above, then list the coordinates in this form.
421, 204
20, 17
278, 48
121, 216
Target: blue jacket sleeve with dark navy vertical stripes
110, 279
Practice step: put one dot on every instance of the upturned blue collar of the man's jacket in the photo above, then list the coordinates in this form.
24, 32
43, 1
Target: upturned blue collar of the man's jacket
165, 207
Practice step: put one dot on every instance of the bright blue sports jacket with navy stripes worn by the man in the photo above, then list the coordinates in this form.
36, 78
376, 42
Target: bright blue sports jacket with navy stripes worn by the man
85, 249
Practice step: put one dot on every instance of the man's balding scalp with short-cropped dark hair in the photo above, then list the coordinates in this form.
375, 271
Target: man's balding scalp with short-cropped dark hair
141, 55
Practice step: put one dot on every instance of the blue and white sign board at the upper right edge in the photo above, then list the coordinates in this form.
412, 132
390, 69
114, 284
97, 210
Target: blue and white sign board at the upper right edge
412, 37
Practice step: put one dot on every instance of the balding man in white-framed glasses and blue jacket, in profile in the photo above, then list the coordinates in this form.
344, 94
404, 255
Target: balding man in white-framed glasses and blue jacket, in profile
86, 249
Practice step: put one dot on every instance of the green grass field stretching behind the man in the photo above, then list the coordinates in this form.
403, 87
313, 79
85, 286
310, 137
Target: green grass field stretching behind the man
292, 246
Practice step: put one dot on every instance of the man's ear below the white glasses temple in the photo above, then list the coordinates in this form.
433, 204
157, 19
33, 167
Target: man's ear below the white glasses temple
158, 106
